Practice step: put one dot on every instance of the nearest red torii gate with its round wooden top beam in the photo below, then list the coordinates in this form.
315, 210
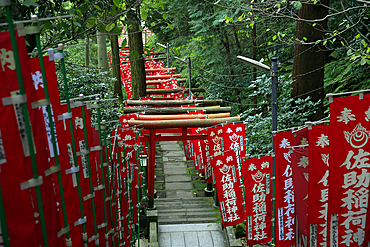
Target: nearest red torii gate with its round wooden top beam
182, 125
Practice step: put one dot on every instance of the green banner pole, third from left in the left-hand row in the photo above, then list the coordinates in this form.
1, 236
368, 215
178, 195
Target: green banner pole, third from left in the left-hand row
73, 144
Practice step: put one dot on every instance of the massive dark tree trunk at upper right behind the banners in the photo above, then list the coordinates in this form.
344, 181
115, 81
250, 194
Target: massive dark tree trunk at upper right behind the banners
308, 65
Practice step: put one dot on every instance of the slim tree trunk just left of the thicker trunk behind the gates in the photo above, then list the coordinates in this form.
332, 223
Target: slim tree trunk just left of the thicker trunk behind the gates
117, 91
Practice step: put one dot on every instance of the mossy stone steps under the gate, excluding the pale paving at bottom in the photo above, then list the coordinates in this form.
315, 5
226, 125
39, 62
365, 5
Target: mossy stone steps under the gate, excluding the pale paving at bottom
176, 202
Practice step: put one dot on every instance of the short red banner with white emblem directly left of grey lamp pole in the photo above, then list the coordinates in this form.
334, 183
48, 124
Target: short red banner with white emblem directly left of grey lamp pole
257, 175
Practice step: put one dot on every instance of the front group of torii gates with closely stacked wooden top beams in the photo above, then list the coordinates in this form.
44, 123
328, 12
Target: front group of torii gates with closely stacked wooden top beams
160, 120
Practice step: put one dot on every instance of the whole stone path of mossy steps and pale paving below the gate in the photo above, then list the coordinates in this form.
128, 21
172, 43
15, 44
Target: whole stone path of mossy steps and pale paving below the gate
179, 207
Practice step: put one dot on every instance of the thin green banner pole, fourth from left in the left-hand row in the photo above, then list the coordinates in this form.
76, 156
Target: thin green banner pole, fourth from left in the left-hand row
87, 156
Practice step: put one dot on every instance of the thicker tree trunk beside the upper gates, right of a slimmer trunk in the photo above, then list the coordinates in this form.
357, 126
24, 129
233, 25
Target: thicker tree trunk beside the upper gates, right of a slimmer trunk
135, 41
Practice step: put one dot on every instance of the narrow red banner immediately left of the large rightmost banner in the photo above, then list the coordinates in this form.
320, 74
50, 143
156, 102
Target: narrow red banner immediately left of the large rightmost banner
318, 186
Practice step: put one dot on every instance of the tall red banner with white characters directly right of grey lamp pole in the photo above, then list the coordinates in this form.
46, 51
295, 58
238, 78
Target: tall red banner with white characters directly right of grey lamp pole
285, 207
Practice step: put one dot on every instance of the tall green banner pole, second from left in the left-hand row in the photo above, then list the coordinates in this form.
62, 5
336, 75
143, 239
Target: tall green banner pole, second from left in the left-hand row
52, 132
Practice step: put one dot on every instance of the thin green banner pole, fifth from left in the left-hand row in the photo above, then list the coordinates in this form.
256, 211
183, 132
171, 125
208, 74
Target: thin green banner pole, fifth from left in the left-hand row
102, 165
